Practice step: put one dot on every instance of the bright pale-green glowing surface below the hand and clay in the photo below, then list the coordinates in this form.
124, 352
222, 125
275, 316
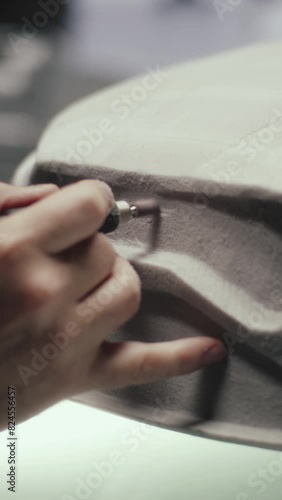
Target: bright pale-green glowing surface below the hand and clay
71, 444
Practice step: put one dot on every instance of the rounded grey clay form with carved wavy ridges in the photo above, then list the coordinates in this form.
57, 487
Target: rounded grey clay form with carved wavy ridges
205, 139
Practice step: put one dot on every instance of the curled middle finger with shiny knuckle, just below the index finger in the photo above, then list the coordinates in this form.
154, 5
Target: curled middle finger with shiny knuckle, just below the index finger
32, 281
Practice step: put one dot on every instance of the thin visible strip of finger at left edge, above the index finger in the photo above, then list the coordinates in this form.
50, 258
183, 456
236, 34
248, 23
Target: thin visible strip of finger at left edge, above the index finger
17, 197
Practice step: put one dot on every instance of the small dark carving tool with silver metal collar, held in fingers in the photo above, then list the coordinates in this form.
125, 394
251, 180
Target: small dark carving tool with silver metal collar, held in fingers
124, 211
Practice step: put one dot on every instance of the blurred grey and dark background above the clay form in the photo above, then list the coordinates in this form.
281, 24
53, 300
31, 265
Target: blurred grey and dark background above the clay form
53, 52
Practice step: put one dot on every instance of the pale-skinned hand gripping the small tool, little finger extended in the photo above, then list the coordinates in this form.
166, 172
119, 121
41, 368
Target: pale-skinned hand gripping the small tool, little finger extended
54, 266
